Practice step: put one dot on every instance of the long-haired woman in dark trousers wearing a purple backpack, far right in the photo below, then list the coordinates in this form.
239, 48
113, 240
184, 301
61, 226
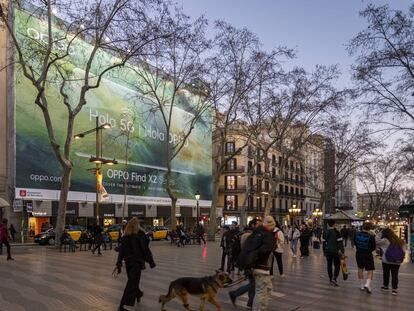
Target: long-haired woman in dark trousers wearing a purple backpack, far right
393, 256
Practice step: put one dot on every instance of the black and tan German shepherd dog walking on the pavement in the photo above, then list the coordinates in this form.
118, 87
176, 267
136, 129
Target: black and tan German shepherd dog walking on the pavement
206, 288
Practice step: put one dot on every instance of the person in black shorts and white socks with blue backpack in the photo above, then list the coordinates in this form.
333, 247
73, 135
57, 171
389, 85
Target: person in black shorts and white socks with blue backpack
365, 245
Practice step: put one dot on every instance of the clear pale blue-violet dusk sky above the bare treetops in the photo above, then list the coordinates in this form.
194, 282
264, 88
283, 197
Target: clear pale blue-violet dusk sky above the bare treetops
317, 29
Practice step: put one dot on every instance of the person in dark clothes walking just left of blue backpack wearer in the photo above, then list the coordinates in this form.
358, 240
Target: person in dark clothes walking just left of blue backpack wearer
333, 249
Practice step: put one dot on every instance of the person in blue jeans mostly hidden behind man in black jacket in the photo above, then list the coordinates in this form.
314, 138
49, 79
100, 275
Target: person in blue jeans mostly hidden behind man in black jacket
250, 286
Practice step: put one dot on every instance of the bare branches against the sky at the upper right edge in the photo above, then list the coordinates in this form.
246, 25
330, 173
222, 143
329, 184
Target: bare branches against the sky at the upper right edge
384, 72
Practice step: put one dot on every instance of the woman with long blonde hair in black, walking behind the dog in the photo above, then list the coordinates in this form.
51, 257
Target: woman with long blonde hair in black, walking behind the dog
134, 250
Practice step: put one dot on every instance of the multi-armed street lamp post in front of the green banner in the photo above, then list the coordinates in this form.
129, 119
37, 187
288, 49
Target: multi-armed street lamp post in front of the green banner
97, 159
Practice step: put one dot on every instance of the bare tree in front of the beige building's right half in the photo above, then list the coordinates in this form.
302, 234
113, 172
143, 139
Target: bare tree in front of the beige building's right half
291, 109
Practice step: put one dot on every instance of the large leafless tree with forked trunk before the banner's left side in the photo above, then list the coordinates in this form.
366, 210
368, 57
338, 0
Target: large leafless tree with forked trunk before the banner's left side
121, 27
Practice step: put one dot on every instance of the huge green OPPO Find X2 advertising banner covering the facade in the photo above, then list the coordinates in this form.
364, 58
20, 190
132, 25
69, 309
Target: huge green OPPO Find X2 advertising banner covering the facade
120, 101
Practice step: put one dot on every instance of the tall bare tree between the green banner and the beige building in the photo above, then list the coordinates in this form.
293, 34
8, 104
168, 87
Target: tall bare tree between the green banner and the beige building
235, 72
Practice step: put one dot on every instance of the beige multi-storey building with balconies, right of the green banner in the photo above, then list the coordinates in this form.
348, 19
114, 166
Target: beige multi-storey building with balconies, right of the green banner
244, 187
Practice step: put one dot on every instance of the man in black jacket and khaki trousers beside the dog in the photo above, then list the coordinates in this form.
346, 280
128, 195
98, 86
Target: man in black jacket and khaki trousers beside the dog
261, 243
